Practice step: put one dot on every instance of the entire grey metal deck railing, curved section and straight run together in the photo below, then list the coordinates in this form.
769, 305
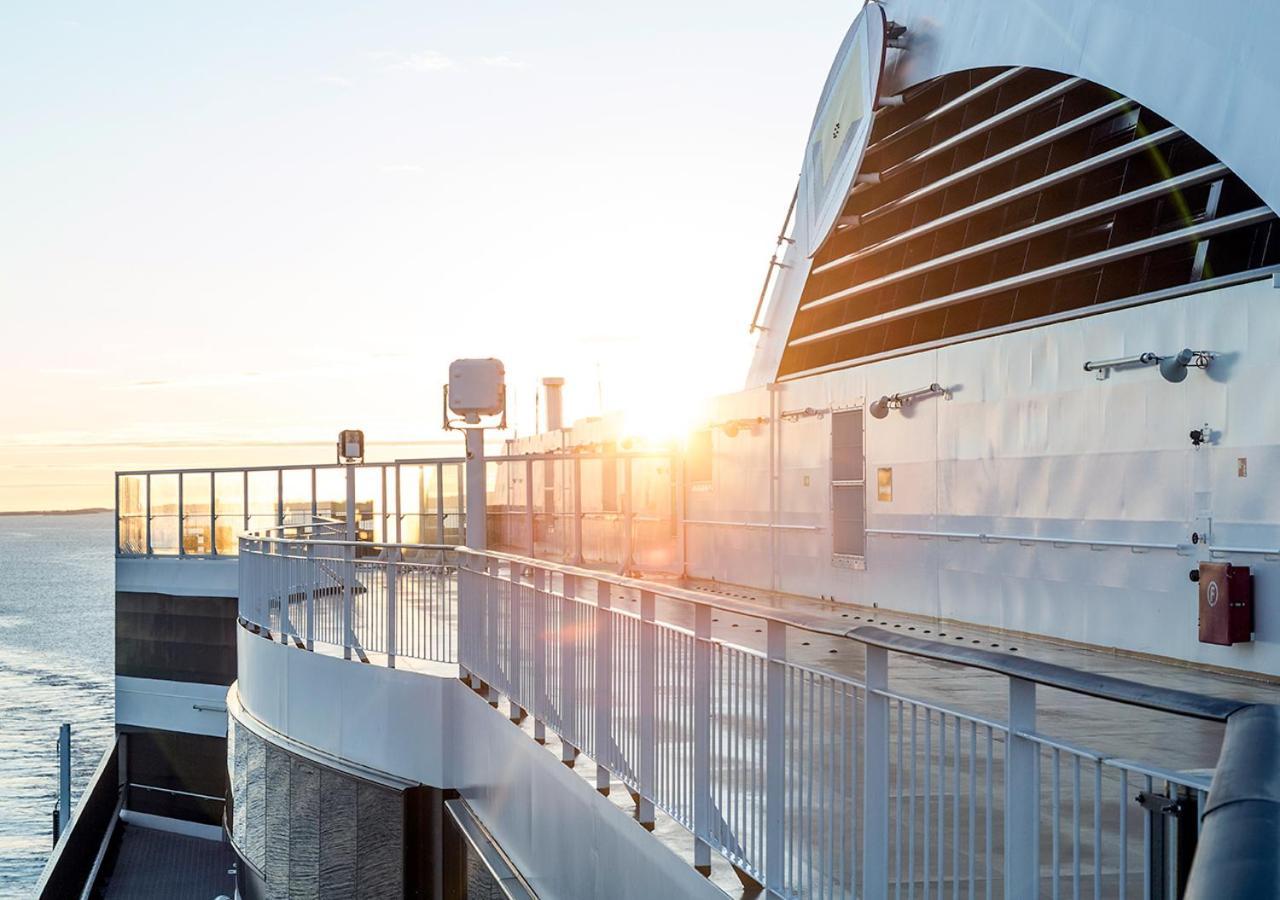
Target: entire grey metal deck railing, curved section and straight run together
1008, 779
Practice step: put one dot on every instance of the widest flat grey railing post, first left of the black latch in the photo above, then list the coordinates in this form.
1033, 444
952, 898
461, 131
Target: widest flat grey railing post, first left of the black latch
1021, 793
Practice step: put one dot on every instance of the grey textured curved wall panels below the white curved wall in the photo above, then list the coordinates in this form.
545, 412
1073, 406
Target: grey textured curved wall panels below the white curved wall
310, 830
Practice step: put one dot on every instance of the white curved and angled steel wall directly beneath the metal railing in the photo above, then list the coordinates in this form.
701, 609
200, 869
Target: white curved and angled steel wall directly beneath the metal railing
568, 840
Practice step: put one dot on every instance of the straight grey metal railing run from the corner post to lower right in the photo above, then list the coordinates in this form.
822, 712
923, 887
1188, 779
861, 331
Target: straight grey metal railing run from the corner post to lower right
815, 783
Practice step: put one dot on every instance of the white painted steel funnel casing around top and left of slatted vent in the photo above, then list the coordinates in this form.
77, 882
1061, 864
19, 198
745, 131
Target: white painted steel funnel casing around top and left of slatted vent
1215, 77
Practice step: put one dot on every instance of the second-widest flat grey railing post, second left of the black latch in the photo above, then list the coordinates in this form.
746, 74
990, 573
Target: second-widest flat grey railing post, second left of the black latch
876, 778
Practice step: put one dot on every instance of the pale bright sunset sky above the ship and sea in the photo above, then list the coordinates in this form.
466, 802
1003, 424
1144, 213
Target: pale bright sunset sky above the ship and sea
231, 230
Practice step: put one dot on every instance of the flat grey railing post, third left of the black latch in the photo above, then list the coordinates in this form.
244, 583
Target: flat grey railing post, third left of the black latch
775, 757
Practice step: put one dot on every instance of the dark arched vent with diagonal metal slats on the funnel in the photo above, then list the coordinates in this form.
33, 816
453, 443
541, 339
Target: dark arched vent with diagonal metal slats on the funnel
1013, 197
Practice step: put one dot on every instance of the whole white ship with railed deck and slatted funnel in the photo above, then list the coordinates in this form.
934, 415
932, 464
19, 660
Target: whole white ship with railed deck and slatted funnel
972, 591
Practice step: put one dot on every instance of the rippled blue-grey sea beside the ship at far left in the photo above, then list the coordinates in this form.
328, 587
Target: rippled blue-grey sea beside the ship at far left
57, 660
